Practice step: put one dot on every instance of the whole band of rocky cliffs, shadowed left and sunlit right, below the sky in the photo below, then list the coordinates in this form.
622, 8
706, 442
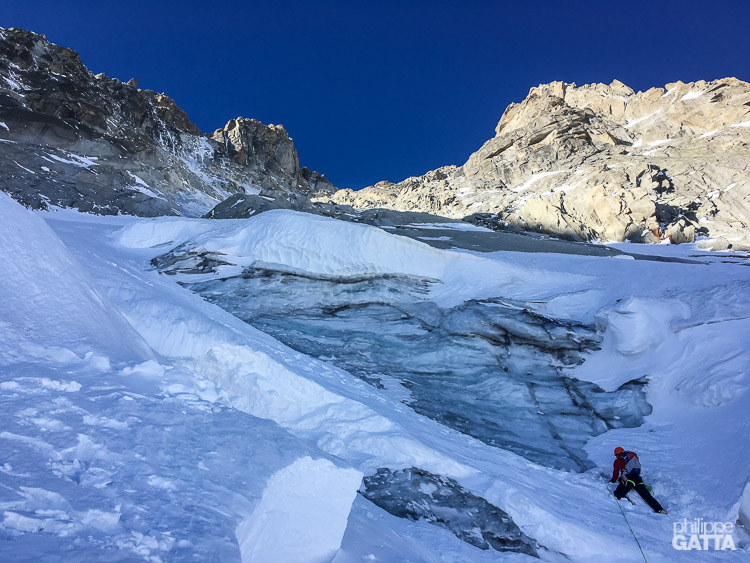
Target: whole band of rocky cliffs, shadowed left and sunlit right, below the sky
595, 162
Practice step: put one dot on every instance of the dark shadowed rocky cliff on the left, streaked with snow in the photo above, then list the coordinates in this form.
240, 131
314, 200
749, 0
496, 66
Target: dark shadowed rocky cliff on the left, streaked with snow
73, 139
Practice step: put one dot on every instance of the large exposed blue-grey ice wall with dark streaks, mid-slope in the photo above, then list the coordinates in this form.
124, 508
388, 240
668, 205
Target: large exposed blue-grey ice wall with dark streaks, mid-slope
490, 369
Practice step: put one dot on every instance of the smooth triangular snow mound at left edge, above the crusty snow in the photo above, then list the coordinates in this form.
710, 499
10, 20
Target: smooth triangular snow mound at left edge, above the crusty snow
48, 298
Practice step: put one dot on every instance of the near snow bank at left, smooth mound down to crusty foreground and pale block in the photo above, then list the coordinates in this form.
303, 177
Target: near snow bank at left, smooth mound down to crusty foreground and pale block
107, 454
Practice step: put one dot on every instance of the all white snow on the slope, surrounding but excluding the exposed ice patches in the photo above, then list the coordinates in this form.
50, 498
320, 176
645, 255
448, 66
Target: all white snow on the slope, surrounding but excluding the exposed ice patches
186, 433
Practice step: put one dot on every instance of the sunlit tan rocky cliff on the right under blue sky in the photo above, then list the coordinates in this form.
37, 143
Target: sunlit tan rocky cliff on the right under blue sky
601, 162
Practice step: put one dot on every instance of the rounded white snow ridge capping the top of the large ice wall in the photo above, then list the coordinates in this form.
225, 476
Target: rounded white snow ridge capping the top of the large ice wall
299, 242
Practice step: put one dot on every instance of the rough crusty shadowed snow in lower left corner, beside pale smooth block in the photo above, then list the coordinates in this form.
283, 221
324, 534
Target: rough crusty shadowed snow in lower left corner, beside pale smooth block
103, 472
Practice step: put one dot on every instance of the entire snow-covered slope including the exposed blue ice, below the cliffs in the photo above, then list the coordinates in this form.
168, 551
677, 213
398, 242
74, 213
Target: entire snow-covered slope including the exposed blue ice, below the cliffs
142, 421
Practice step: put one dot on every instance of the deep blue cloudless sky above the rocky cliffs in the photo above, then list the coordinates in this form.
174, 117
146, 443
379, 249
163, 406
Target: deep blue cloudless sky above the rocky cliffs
383, 90
